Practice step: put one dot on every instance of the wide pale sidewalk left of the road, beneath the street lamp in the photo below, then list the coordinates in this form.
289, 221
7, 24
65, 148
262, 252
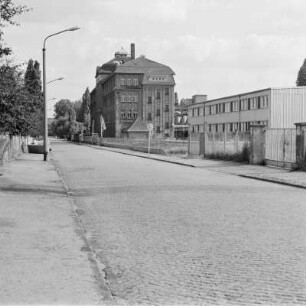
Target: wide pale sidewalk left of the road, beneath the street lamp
45, 258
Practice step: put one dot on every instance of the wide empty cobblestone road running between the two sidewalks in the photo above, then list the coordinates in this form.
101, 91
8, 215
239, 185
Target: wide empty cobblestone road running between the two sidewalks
175, 235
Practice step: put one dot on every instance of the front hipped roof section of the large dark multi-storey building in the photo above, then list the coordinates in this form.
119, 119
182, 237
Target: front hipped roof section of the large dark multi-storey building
144, 65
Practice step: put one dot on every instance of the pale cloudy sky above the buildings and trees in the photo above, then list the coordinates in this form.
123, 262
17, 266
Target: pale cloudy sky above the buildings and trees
215, 47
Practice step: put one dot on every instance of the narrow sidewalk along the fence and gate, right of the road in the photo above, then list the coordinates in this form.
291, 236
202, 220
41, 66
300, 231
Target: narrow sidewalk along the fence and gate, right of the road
264, 173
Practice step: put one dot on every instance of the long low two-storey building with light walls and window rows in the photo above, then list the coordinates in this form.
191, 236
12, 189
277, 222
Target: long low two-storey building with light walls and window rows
273, 107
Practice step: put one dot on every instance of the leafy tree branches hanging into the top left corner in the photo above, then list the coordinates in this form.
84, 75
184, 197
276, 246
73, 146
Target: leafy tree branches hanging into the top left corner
8, 10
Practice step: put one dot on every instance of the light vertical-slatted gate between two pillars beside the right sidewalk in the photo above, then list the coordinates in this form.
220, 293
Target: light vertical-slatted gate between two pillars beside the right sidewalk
280, 148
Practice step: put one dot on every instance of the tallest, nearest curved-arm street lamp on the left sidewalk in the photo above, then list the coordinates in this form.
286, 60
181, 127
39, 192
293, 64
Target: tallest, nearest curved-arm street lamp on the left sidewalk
45, 92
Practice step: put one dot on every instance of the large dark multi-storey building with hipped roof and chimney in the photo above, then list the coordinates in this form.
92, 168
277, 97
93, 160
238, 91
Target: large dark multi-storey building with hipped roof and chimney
129, 88
